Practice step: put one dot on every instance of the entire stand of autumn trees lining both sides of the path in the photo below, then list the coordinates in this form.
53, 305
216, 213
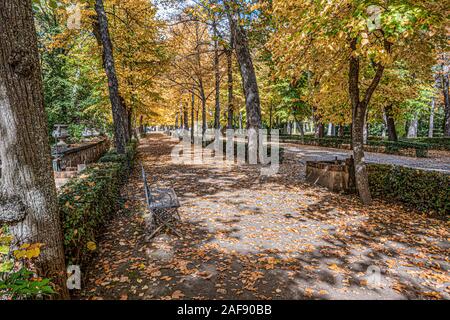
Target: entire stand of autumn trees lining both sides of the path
348, 63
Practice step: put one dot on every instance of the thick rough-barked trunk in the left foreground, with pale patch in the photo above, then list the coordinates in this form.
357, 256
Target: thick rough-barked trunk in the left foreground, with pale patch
28, 201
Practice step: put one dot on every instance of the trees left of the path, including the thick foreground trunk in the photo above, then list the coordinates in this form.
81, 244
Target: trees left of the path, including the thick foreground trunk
109, 50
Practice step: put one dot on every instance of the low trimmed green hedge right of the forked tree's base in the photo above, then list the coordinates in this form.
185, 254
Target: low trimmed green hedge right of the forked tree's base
424, 190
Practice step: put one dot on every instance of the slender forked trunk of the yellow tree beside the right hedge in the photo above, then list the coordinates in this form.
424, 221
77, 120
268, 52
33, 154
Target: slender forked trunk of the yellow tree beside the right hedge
359, 110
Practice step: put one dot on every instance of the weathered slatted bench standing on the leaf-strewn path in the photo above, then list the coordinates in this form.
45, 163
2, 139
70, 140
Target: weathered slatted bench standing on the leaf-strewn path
163, 205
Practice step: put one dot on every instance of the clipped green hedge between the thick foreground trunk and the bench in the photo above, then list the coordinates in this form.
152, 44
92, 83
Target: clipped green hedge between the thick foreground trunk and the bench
88, 200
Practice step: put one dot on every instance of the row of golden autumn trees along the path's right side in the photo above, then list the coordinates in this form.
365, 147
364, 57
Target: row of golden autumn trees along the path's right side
347, 63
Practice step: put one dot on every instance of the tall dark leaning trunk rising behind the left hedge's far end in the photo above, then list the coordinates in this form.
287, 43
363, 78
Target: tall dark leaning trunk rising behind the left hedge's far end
118, 111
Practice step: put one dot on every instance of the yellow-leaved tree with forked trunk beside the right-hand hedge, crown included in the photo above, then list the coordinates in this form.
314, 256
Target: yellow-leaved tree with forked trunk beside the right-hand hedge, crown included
356, 40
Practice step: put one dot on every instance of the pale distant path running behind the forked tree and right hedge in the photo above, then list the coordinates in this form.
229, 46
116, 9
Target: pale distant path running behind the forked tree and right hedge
311, 153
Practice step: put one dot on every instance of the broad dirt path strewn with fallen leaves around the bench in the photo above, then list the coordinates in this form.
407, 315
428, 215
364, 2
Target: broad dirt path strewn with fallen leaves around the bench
249, 237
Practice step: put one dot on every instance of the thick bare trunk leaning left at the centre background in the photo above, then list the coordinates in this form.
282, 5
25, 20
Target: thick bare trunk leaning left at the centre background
250, 85
